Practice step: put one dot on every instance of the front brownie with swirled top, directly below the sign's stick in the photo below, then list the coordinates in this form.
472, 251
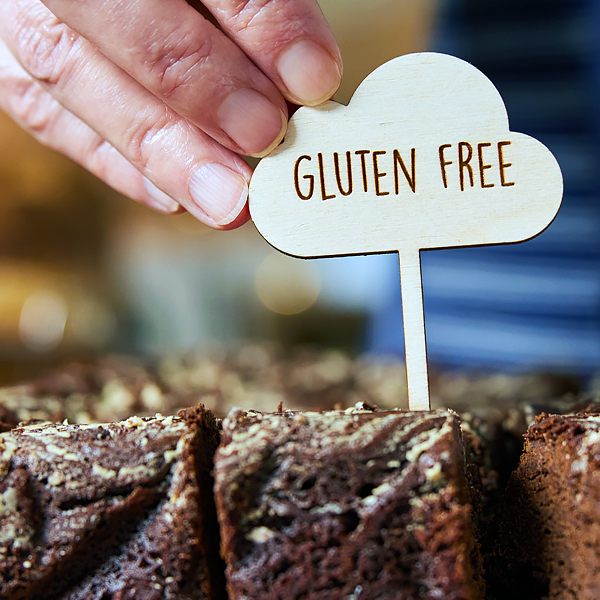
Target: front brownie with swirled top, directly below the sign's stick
354, 504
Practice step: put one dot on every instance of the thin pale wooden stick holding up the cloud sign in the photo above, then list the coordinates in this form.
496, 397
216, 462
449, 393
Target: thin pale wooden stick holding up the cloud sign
414, 329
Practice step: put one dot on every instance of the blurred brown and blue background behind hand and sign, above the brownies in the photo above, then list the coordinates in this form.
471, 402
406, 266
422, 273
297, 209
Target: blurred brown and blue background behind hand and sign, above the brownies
85, 272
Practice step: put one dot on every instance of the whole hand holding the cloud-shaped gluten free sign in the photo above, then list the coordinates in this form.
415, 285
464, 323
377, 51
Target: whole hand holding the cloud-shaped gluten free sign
153, 99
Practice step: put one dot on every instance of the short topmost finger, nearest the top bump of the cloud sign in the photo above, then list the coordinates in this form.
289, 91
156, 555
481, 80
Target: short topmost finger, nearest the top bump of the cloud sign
289, 40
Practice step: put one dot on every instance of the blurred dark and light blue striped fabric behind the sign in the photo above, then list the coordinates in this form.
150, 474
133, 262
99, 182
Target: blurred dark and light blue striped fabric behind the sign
531, 306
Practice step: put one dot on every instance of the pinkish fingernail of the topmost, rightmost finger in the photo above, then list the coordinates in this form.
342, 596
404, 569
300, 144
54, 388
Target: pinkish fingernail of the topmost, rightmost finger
309, 72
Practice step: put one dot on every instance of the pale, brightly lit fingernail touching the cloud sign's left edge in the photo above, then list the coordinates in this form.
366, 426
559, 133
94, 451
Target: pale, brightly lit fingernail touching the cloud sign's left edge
219, 192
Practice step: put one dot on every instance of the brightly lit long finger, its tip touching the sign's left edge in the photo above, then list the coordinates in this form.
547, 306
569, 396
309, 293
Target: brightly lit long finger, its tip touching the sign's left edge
179, 159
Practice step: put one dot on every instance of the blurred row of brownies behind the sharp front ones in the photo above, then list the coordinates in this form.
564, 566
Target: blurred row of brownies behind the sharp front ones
259, 377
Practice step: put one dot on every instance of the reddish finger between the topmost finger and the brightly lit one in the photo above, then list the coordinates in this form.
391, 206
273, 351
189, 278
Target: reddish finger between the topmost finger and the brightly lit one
186, 61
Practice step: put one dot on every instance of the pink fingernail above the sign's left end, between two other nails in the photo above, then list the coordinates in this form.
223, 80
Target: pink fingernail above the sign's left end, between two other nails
252, 121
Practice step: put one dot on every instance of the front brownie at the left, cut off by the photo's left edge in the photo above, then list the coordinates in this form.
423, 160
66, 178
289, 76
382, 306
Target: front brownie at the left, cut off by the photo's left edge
113, 511
